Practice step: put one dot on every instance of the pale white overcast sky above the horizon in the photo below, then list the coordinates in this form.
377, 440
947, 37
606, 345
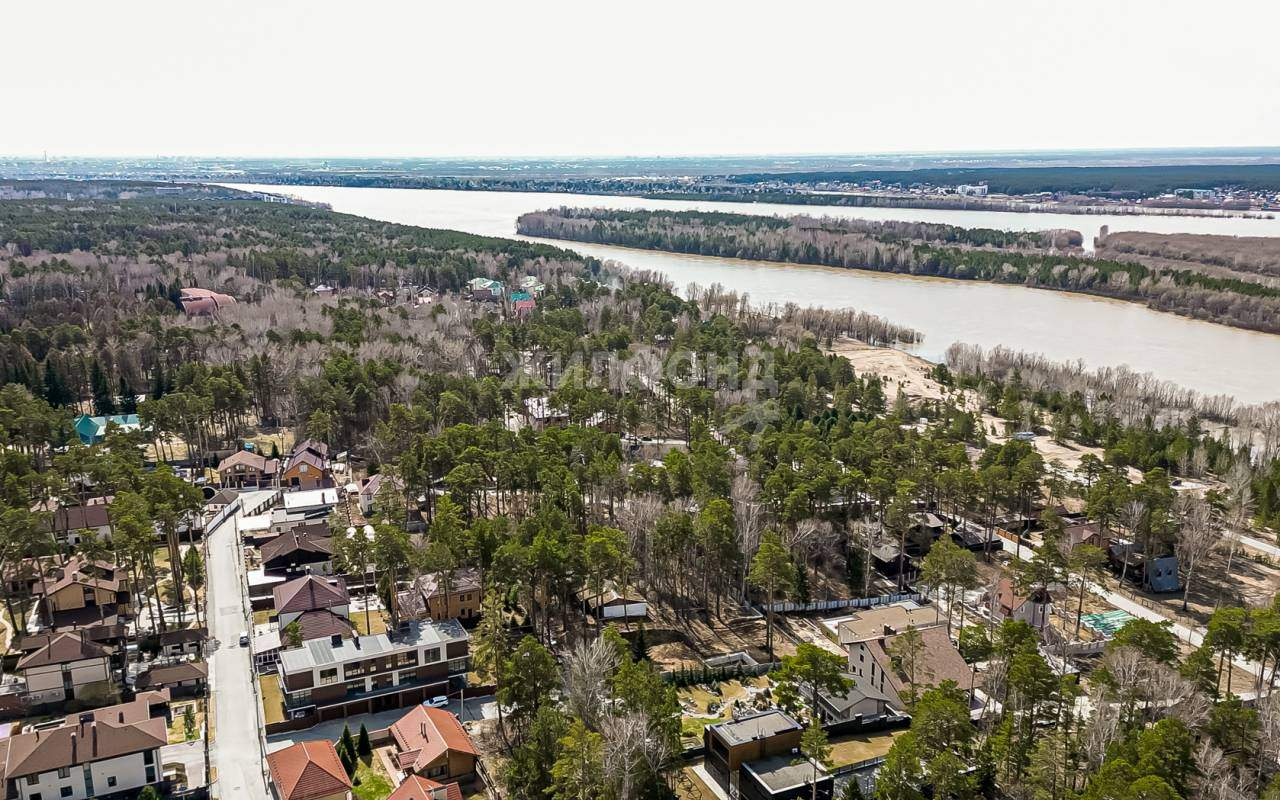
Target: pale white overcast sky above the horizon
697, 77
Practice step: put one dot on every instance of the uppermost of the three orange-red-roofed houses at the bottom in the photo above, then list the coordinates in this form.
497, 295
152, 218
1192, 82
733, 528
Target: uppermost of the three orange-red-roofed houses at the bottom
431, 743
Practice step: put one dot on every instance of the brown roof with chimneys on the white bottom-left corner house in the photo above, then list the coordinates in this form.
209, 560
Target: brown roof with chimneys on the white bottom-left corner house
94, 737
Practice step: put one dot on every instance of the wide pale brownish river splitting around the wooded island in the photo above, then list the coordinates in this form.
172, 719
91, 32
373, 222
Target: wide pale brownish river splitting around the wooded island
1210, 359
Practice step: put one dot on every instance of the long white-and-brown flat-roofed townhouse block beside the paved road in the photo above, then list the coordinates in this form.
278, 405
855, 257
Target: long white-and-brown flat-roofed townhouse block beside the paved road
337, 678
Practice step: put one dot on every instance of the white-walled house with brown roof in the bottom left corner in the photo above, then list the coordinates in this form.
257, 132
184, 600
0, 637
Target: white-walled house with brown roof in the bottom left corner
108, 753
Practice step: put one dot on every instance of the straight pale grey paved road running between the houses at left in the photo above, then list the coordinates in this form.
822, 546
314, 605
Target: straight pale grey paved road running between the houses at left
237, 755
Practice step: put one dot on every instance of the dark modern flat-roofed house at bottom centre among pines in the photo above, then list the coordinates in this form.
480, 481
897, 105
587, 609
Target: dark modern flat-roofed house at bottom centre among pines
755, 757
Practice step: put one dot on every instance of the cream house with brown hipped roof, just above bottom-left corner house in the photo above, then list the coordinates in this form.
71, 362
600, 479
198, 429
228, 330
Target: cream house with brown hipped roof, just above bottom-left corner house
68, 666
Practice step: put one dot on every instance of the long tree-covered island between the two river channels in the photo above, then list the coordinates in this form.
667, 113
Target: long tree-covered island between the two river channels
1044, 260
